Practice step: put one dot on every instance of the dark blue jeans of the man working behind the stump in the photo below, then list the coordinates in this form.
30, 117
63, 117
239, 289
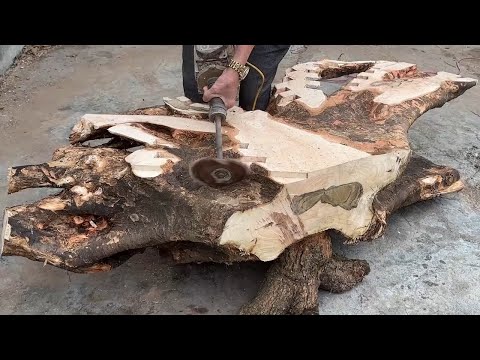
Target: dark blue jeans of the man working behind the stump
264, 57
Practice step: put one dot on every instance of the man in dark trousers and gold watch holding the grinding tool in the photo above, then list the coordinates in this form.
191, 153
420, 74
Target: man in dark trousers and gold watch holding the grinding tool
264, 58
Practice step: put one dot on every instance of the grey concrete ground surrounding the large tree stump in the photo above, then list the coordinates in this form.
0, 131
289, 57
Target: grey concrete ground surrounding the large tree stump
428, 262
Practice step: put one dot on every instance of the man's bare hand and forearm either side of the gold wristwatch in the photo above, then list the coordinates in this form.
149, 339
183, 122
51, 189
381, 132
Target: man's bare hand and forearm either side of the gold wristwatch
226, 86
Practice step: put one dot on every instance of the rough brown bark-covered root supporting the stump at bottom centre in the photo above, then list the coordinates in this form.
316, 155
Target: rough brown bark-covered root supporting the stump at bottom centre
292, 282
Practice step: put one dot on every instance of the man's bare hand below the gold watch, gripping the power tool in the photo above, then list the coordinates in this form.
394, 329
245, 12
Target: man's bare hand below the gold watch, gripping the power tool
225, 88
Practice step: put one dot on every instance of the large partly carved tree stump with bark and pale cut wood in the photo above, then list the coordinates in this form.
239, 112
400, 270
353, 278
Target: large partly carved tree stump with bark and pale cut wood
331, 153
